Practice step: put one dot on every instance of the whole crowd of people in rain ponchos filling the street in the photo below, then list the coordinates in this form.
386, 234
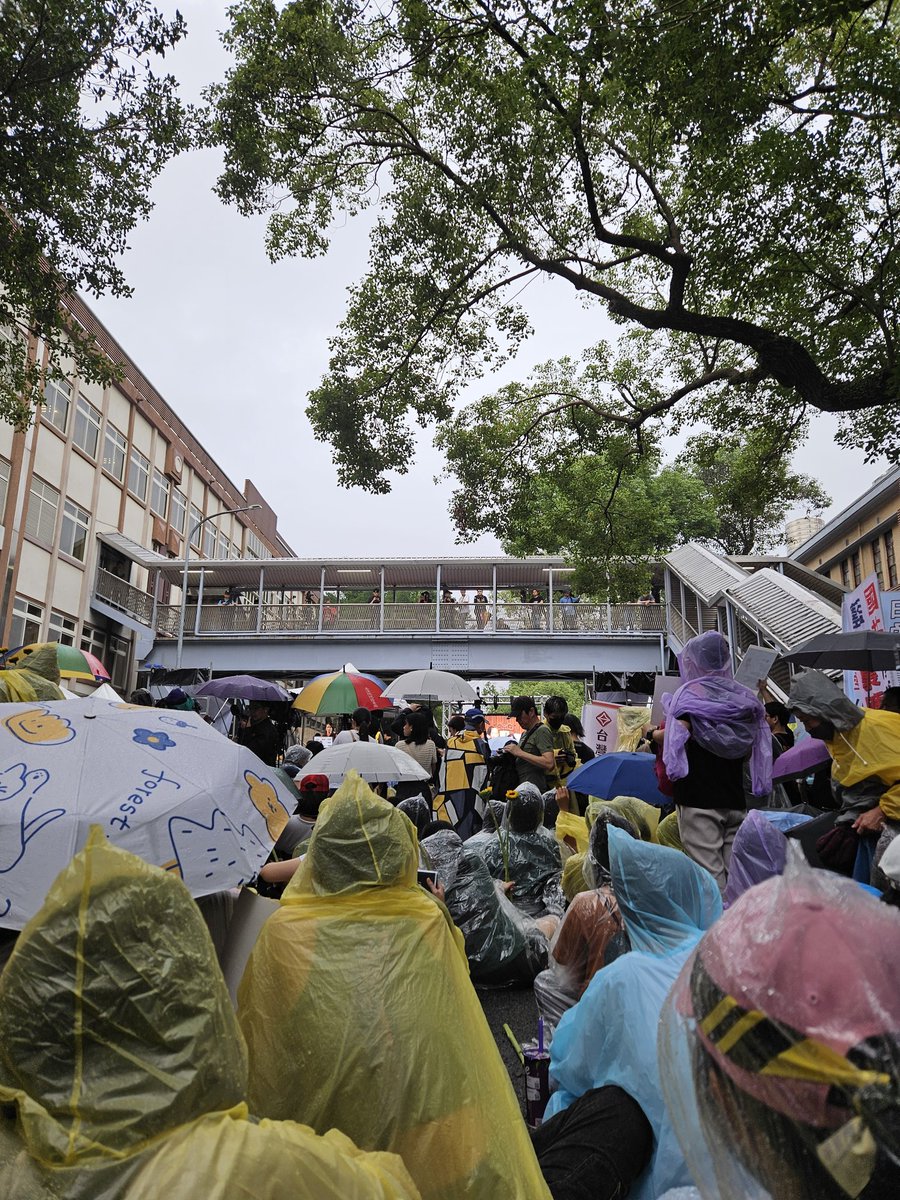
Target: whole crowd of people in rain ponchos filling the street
719, 985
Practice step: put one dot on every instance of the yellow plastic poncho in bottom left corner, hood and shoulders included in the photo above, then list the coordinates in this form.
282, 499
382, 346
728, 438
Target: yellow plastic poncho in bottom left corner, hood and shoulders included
122, 1055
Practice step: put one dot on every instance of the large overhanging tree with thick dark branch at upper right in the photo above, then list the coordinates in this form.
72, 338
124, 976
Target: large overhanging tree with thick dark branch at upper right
721, 176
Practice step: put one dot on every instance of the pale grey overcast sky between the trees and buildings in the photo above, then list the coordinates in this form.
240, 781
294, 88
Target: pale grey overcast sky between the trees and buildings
235, 344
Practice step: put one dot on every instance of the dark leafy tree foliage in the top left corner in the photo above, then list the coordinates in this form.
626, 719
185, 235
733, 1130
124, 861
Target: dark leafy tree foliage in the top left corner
87, 127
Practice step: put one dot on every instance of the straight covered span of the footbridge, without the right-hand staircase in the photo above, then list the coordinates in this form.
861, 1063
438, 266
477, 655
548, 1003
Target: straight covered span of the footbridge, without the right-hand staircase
297, 617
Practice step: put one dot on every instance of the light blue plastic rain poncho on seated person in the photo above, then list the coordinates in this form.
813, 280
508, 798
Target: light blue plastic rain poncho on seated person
610, 1036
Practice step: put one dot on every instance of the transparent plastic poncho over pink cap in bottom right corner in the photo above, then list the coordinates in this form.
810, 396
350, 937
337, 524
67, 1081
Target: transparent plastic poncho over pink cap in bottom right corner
781, 1046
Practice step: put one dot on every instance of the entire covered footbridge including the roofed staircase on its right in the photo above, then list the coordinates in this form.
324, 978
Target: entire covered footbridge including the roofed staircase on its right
479, 617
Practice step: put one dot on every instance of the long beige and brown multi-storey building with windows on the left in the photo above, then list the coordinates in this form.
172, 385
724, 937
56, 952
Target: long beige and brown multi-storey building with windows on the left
109, 483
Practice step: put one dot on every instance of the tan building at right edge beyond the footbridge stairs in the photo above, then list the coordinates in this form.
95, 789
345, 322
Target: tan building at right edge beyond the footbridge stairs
861, 539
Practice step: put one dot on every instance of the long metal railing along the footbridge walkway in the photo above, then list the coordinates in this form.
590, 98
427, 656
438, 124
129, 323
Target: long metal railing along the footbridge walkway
298, 620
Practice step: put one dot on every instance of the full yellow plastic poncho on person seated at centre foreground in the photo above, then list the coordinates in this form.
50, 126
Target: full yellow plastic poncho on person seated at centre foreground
359, 1015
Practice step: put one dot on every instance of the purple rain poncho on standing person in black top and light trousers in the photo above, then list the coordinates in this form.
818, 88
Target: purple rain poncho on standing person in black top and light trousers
727, 718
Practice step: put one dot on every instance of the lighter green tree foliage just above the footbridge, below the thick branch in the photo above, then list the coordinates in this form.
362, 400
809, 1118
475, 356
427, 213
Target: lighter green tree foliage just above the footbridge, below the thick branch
551, 475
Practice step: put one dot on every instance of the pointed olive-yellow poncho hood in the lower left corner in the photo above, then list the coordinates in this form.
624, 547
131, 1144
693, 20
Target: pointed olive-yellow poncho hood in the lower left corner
116, 1025
